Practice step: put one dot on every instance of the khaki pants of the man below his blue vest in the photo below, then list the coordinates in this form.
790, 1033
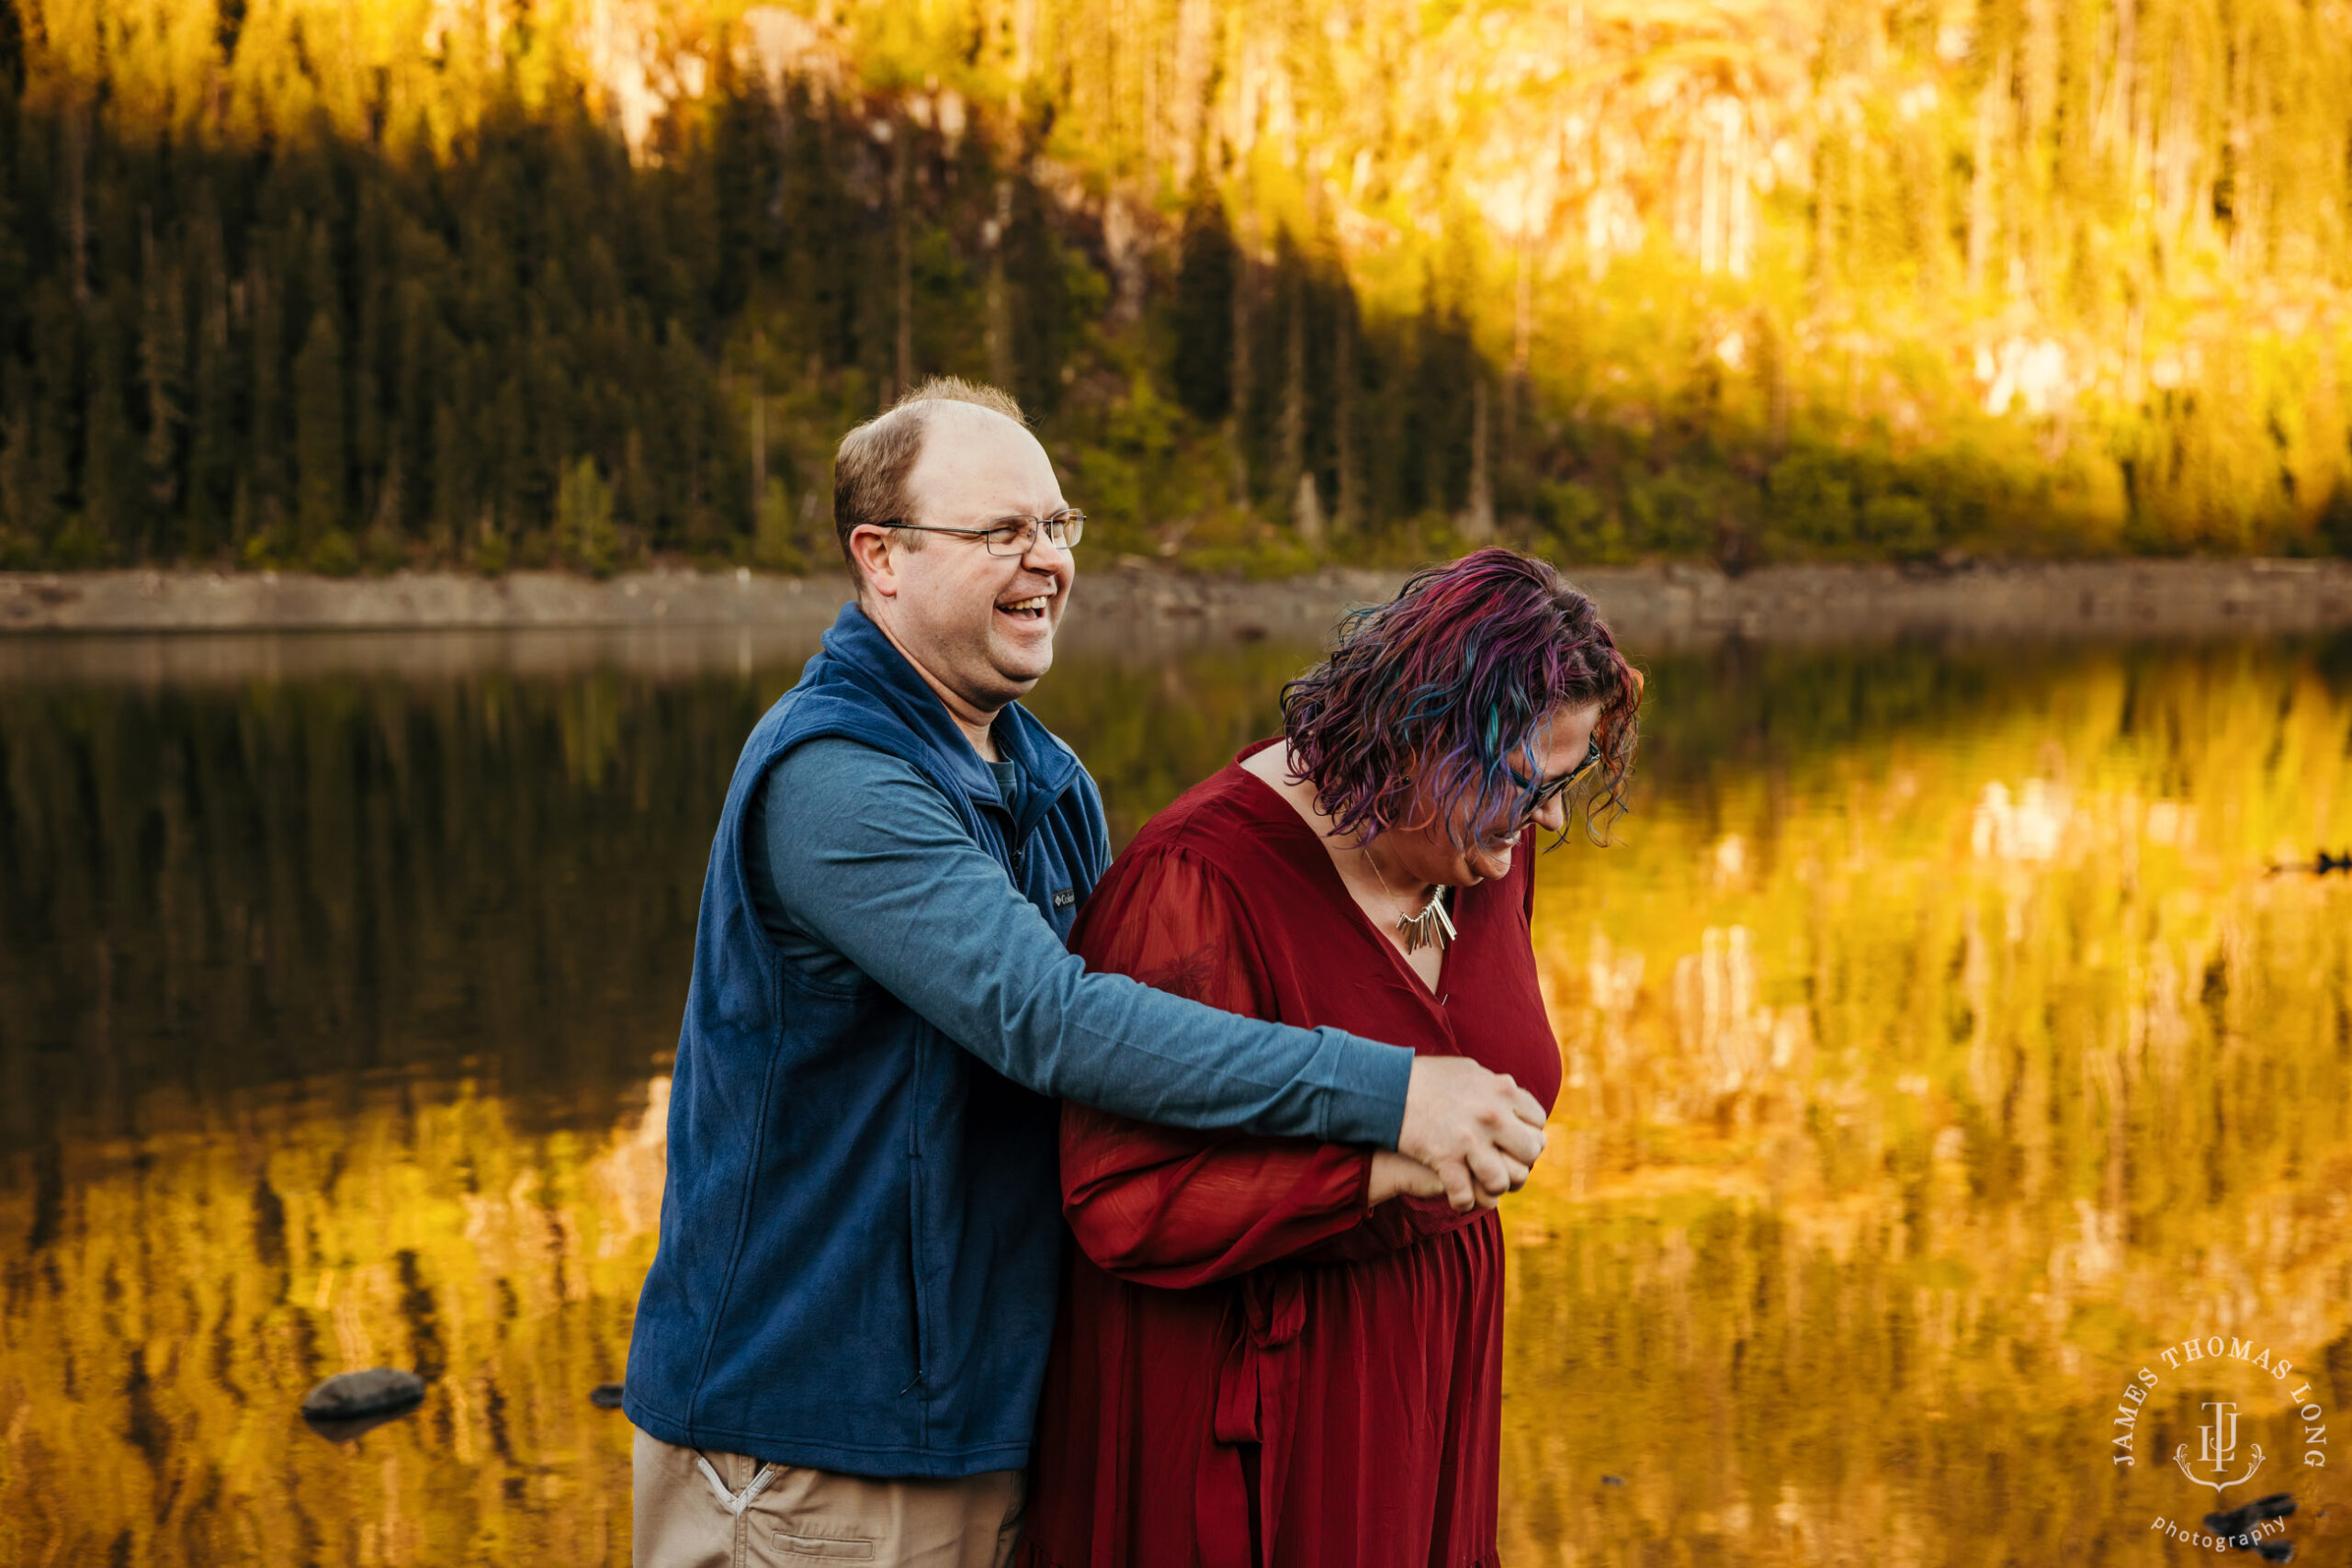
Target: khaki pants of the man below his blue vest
723, 1510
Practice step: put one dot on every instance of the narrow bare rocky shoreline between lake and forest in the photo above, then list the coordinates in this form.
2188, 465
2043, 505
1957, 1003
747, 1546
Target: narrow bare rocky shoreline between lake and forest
1144, 605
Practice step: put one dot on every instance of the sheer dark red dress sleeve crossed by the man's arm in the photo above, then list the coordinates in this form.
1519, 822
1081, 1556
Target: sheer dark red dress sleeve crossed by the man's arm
1172, 1207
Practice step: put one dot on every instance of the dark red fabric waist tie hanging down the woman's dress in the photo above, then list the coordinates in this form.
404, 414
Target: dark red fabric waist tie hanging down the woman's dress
1257, 1402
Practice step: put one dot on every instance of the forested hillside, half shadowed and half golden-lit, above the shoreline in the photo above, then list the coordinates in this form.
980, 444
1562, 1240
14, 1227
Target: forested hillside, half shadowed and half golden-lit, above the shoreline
370, 283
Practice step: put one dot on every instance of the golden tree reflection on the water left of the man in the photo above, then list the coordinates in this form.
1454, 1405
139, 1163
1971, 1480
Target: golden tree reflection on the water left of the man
187, 1289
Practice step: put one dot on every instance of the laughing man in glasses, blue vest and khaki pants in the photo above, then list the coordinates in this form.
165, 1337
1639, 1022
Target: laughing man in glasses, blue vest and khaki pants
841, 1343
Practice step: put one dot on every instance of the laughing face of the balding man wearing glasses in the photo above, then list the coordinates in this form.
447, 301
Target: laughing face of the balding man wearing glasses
980, 624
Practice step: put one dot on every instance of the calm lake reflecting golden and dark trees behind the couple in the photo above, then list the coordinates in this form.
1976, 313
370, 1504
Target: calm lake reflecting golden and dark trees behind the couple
1958, 1090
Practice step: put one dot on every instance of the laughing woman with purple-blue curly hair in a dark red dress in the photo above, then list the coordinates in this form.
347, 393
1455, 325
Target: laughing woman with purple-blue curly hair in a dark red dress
1288, 1353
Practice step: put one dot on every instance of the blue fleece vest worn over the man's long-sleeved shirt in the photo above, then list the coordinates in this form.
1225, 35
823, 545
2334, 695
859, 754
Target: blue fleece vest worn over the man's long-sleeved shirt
862, 1228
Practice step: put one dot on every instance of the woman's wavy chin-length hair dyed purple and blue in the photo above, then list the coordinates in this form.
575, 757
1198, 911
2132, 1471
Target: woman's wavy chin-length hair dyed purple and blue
1448, 690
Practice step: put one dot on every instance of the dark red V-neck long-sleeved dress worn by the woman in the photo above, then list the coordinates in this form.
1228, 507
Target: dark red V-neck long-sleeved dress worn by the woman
1252, 1365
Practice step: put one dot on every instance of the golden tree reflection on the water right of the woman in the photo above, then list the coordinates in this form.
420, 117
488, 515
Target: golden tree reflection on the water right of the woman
1918, 1092
